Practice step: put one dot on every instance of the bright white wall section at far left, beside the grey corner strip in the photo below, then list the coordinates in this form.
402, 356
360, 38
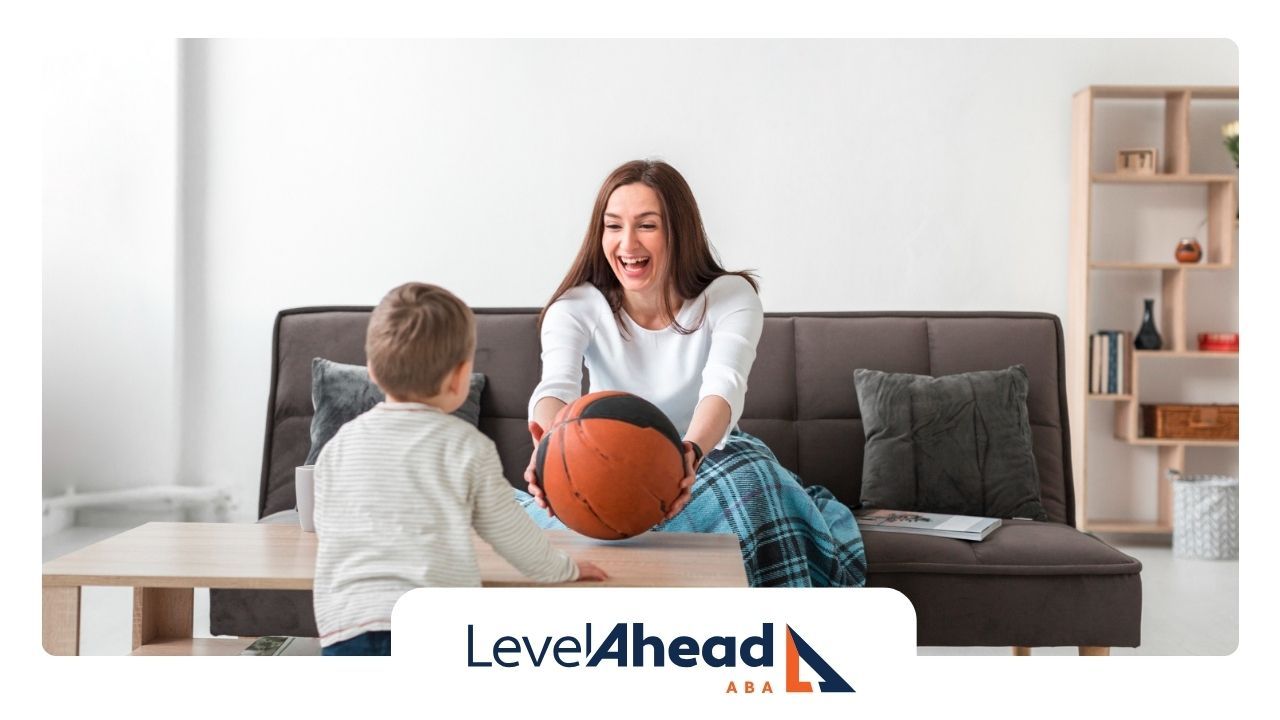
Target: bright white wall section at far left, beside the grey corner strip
111, 303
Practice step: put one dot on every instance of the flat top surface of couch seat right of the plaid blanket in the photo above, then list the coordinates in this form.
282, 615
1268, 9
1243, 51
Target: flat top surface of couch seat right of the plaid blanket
1018, 548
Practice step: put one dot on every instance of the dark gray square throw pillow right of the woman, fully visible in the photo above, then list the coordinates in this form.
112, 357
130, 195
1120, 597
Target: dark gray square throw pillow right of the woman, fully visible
958, 444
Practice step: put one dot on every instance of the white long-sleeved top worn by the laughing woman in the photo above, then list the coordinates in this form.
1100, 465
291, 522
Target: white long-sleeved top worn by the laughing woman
673, 371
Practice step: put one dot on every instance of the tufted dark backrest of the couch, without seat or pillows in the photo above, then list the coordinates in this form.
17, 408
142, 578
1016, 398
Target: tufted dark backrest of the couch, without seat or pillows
801, 399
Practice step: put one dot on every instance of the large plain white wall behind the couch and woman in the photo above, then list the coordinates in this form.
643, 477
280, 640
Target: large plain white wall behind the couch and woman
852, 175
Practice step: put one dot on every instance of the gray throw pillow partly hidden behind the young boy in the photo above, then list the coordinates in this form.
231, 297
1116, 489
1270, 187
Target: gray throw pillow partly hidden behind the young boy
344, 393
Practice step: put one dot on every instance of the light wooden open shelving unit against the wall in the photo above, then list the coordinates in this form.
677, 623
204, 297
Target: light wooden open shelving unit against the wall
1222, 226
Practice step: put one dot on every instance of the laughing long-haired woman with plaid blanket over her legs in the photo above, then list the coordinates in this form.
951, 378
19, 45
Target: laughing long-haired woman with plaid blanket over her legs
651, 312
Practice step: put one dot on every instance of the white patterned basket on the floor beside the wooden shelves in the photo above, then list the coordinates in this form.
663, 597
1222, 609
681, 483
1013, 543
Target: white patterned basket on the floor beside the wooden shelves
1206, 517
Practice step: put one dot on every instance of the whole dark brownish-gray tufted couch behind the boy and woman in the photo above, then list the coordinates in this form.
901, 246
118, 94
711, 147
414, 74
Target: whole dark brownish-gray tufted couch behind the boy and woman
1028, 585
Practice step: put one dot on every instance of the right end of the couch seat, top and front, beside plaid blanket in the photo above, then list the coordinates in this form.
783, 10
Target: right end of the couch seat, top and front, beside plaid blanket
1030, 585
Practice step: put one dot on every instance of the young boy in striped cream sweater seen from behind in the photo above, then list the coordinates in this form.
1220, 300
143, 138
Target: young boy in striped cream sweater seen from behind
400, 489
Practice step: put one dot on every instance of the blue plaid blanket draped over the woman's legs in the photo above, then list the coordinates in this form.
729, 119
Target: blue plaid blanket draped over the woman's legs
790, 536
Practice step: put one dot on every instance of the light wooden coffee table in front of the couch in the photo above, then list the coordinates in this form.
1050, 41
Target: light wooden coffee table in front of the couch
166, 562
